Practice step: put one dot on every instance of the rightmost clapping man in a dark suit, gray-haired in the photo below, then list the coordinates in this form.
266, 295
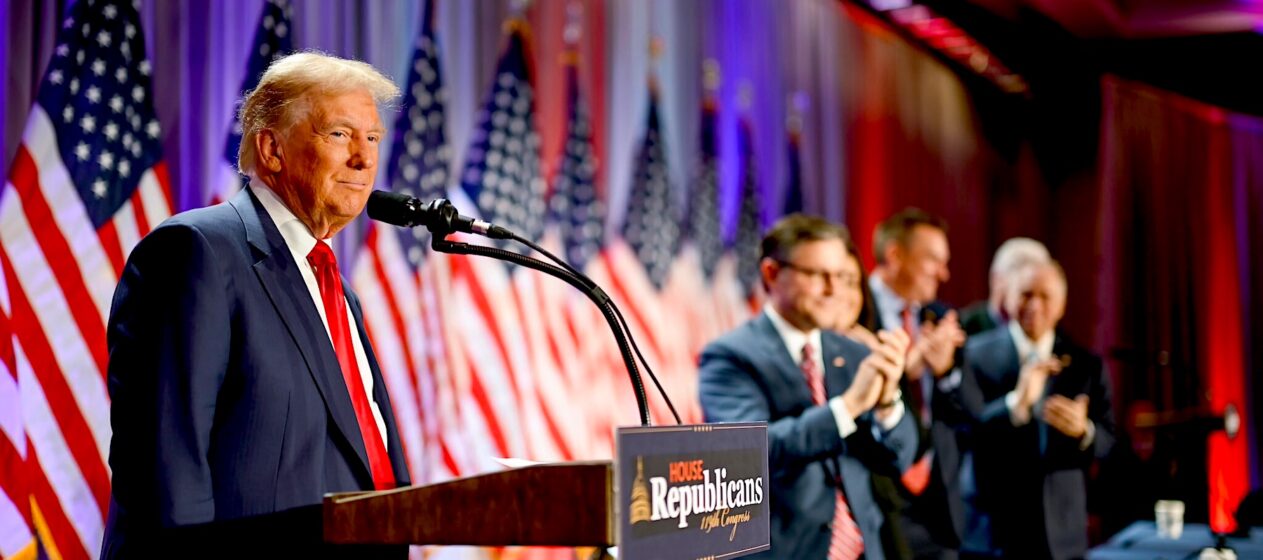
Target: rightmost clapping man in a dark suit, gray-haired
1043, 415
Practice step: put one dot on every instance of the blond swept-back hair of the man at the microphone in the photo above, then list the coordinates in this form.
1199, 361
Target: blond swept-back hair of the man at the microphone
281, 98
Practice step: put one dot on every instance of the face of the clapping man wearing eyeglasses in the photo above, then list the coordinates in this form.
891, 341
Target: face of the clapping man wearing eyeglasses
806, 289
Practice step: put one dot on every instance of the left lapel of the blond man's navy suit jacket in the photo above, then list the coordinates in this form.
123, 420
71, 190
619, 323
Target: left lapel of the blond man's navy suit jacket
281, 280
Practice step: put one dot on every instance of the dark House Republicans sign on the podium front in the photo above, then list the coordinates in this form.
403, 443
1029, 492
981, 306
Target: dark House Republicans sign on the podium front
693, 492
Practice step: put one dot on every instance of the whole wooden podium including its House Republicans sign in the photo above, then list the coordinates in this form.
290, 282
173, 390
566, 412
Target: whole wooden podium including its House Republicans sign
684, 492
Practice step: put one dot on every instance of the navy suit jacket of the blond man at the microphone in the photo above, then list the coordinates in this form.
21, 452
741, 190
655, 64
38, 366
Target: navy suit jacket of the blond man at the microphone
229, 409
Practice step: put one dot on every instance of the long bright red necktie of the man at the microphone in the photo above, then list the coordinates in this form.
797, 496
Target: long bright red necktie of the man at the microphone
340, 331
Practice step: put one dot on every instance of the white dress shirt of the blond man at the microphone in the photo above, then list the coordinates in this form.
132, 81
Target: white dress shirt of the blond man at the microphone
300, 241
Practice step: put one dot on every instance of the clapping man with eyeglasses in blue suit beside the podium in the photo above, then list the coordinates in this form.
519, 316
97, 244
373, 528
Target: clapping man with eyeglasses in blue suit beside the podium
833, 406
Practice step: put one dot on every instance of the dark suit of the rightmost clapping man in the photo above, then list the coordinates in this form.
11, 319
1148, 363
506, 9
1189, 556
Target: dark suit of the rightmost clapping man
1033, 478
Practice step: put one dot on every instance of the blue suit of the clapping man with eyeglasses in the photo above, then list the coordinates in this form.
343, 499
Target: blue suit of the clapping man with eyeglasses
750, 376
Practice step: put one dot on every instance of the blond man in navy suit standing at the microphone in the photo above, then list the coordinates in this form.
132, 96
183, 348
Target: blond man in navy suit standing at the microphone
243, 386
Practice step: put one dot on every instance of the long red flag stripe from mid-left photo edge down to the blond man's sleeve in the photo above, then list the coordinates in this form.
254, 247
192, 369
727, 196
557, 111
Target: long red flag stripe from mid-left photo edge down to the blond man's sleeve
61, 401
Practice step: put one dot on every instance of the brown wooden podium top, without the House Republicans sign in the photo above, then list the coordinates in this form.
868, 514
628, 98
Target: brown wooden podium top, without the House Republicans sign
546, 505
